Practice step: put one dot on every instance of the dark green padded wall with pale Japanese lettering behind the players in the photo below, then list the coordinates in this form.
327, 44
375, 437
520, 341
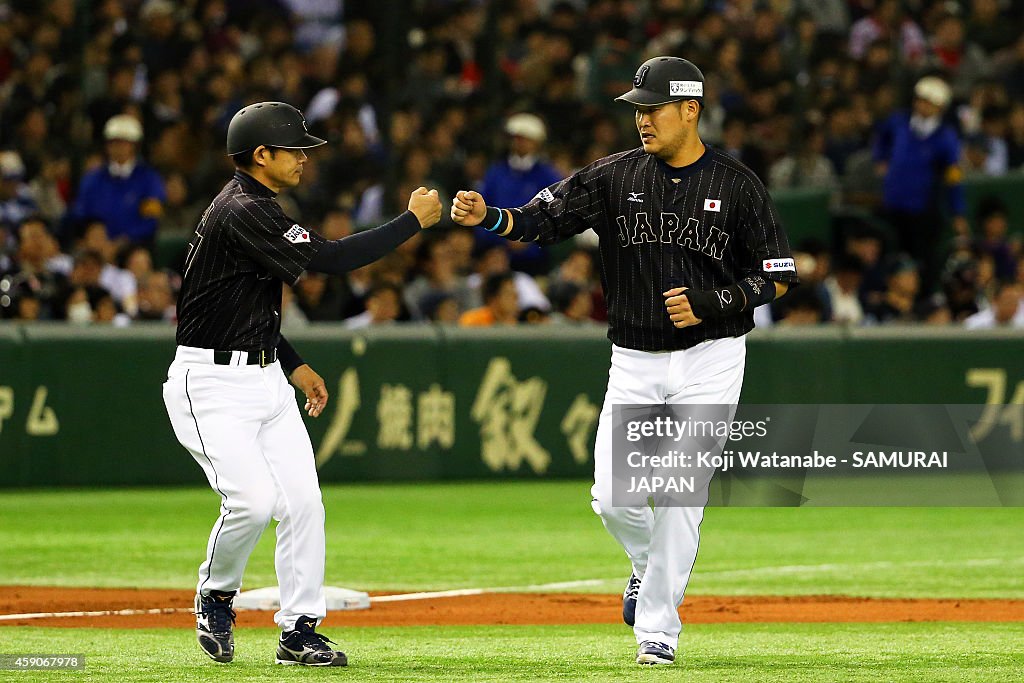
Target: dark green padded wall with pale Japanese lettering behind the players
84, 407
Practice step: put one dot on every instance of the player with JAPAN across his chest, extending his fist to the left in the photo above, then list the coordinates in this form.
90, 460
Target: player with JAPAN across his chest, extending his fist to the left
691, 244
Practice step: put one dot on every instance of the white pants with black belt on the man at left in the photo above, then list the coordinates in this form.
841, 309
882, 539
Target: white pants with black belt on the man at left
242, 425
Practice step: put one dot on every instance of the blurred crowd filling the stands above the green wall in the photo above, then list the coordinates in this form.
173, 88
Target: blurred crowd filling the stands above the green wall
113, 118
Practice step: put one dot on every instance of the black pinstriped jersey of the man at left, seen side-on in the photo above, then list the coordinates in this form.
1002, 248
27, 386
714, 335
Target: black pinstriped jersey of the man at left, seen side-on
245, 247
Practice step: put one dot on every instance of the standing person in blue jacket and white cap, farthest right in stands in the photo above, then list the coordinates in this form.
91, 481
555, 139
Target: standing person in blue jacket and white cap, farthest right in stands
919, 155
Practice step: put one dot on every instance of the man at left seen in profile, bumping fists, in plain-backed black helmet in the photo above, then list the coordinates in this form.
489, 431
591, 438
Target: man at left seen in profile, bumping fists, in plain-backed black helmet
228, 394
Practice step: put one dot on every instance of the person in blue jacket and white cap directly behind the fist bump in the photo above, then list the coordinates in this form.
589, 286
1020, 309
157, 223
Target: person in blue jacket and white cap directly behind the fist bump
516, 181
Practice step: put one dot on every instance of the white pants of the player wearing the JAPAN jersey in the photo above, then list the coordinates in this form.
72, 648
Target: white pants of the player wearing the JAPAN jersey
662, 543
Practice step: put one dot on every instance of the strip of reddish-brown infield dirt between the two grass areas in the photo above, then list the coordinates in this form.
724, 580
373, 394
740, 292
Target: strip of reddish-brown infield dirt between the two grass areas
495, 609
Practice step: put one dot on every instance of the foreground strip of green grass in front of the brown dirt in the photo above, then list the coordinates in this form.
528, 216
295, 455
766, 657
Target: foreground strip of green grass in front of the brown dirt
812, 654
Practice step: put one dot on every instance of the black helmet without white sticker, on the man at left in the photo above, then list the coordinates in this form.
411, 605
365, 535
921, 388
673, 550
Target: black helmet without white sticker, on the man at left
272, 124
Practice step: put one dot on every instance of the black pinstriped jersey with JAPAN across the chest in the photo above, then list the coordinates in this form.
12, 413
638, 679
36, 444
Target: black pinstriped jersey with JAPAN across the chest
704, 227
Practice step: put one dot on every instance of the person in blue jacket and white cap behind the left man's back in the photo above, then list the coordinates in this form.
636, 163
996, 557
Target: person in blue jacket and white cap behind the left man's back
126, 194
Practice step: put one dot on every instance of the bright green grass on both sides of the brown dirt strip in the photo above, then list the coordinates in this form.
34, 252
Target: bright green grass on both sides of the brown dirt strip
431, 537
